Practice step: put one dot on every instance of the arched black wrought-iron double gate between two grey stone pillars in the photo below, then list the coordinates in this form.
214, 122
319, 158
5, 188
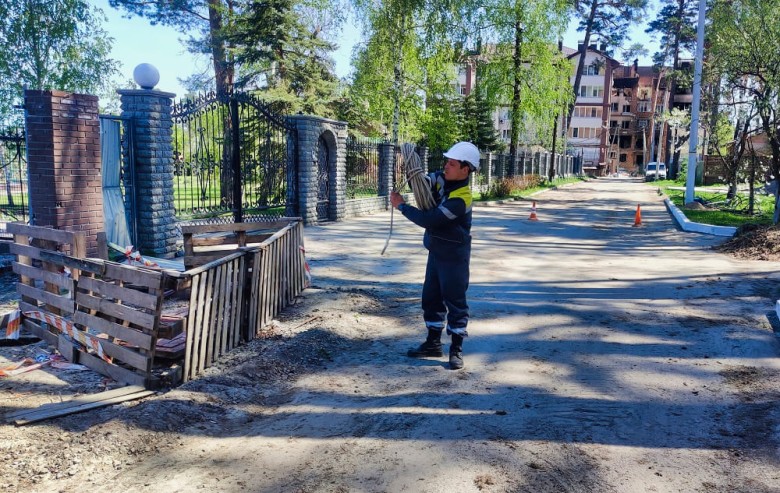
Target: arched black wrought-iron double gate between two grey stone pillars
234, 159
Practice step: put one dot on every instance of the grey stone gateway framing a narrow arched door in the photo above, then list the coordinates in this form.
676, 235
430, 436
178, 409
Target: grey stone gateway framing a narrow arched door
334, 134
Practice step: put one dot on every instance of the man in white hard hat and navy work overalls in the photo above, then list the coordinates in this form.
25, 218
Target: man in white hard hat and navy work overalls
448, 240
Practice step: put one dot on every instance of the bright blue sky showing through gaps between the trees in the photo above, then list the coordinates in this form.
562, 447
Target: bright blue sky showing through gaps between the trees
136, 41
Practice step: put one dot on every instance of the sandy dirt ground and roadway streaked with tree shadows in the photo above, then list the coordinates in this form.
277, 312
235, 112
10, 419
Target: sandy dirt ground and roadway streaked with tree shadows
602, 358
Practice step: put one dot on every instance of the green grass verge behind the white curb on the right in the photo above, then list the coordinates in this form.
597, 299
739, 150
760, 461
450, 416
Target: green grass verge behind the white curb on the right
718, 215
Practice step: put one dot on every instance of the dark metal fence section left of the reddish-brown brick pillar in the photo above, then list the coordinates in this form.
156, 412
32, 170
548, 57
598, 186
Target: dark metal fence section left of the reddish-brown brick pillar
14, 198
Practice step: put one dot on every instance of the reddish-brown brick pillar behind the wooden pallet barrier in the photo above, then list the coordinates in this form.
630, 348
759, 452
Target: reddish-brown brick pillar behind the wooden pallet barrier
63, 148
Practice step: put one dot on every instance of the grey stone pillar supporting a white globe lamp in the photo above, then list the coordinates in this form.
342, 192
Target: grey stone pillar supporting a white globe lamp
149, 170
